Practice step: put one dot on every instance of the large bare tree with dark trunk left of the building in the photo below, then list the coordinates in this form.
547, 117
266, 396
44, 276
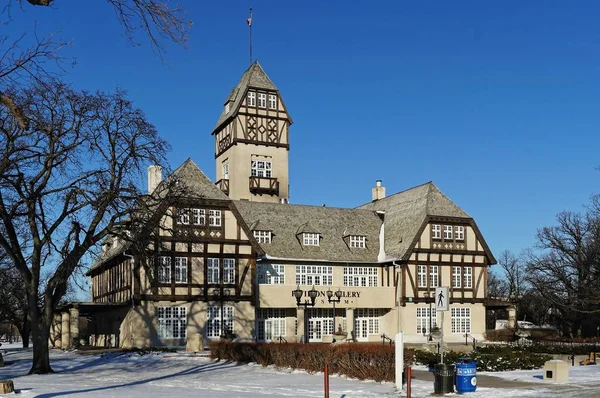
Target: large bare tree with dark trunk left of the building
66, 182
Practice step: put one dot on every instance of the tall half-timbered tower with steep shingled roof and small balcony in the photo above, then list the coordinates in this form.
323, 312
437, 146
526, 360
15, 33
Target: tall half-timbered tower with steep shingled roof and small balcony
252, 141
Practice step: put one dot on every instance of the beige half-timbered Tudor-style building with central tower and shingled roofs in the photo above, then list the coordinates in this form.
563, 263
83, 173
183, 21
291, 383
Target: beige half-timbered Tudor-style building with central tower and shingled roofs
225, 257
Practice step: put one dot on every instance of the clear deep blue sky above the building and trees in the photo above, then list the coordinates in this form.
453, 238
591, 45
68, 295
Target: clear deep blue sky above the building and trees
495, 103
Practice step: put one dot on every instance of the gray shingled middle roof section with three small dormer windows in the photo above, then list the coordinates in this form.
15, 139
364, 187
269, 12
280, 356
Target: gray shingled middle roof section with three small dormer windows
286, 220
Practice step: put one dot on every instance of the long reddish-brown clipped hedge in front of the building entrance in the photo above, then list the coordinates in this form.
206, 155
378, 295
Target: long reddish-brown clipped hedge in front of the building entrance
359, 361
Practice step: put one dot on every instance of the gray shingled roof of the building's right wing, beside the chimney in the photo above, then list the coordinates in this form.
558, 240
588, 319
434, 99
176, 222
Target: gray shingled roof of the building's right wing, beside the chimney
406, 211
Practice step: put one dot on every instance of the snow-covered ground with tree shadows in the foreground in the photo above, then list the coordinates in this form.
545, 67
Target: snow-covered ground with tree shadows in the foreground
181, 375
